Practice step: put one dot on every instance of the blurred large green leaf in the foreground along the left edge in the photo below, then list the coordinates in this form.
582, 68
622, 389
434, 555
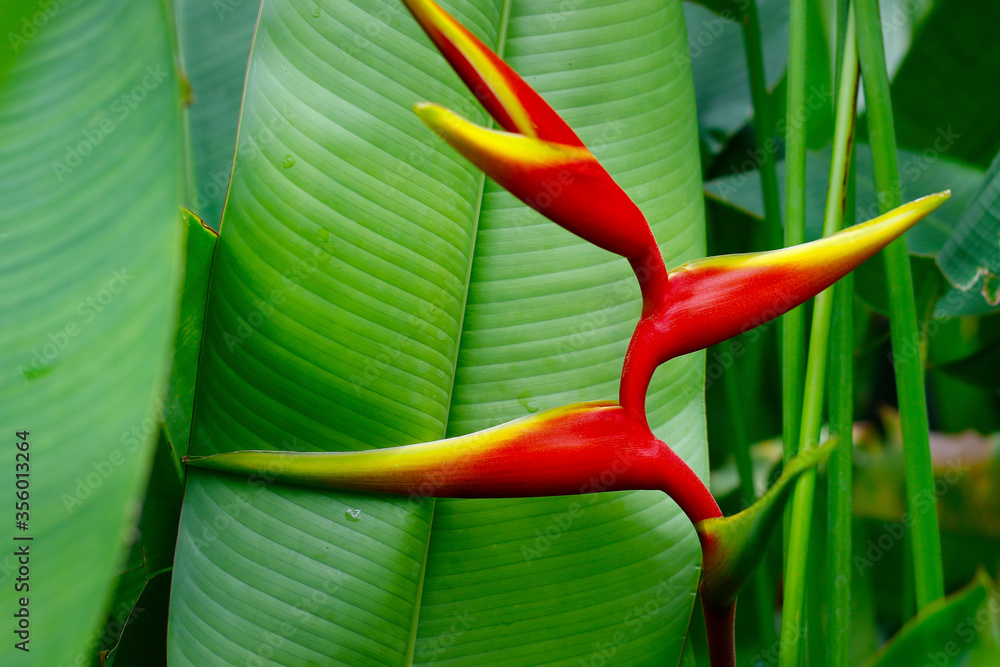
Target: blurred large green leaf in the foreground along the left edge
89, 189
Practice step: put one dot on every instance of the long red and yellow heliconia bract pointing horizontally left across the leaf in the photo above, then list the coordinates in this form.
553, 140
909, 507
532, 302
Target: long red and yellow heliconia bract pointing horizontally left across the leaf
580, 448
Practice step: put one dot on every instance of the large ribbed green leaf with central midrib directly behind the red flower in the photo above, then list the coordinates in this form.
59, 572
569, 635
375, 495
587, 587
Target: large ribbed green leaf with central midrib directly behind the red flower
369, 290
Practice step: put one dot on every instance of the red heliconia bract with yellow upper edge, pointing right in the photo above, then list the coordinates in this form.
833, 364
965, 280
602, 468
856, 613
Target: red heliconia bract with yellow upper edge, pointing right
710, 300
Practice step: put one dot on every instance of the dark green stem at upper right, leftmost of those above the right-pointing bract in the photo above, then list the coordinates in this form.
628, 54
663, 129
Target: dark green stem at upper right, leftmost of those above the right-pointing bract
763, 125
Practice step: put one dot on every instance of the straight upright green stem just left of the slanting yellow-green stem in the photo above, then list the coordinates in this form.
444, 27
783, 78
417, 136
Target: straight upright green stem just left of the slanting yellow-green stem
793, 322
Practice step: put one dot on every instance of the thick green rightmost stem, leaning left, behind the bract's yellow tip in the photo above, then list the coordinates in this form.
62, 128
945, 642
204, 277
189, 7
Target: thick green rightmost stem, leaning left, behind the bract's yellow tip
907, 361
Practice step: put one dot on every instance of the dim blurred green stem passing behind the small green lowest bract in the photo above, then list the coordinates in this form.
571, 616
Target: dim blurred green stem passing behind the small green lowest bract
762, 587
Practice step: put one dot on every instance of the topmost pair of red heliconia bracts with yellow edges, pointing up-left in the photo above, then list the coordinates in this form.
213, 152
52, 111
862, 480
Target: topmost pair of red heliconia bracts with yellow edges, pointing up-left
536, 156
